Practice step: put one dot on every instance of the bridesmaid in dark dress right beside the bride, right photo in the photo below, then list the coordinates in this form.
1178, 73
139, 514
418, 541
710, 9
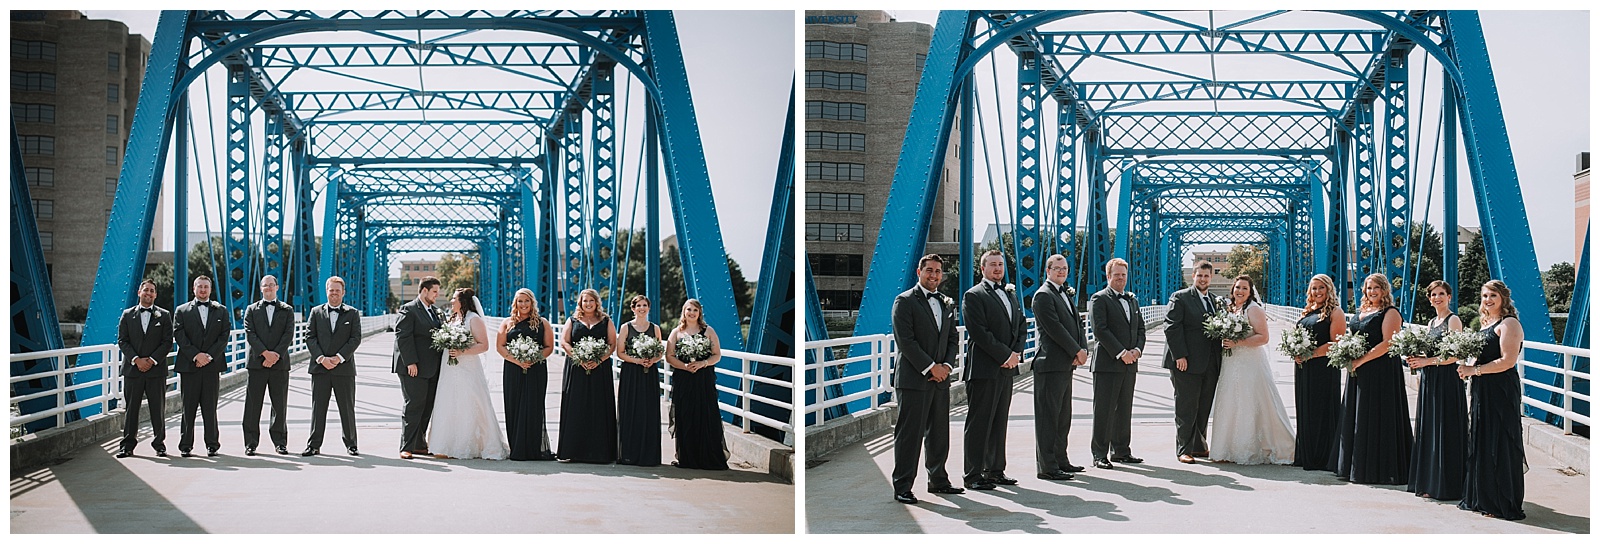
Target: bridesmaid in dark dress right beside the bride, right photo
1316, 383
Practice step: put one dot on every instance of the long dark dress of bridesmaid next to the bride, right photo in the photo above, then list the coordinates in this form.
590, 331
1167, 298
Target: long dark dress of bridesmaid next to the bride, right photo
1318, 404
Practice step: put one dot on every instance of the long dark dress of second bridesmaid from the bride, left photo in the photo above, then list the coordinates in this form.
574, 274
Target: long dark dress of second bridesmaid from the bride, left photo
588, 406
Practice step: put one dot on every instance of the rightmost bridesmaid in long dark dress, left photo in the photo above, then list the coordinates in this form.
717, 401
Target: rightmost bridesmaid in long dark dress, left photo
695, 396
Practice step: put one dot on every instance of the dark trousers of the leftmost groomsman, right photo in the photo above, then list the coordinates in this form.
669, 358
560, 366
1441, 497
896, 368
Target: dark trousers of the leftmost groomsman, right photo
924, 420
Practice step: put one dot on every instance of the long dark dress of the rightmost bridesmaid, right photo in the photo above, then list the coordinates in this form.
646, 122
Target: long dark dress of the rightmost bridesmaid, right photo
1495, 457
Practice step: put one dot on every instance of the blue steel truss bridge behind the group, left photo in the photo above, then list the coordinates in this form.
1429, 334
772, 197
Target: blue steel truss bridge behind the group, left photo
334, 143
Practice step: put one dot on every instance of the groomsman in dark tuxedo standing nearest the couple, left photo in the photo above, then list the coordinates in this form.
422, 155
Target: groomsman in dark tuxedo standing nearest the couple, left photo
332, 335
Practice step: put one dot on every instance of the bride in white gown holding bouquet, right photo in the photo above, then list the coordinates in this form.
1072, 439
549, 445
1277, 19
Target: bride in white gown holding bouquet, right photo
1249, 423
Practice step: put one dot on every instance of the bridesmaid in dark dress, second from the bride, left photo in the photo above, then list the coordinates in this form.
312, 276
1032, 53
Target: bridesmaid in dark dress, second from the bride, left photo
588, 399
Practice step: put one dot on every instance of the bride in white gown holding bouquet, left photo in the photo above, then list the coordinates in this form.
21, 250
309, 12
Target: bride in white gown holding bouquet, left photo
465, 426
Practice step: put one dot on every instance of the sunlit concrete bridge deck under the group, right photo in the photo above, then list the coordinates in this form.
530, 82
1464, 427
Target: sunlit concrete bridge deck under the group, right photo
852, 492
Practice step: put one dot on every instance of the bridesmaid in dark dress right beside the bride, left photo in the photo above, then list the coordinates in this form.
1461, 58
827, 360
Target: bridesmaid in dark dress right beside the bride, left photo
524, 382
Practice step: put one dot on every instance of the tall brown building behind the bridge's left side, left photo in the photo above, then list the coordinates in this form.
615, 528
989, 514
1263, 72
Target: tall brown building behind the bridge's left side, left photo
74, 87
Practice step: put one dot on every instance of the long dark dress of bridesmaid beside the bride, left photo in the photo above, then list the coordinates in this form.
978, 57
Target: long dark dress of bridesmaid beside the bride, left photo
526, 401
